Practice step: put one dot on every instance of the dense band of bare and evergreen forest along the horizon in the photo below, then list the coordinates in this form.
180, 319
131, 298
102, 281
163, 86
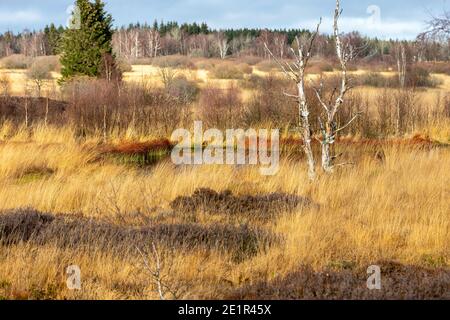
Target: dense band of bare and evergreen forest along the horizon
138, 41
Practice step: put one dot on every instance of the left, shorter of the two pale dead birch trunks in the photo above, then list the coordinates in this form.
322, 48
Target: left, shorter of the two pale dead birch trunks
296, 72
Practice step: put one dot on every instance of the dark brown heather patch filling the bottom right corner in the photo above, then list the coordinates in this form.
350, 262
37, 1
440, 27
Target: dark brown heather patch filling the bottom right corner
398, 282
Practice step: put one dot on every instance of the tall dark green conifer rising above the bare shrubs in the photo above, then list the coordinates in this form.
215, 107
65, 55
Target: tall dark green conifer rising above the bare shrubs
86, 50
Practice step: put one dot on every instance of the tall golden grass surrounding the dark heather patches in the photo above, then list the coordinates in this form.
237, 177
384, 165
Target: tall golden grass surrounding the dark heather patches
396, 210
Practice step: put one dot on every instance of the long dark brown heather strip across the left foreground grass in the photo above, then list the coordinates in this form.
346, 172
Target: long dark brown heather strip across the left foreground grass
26, 225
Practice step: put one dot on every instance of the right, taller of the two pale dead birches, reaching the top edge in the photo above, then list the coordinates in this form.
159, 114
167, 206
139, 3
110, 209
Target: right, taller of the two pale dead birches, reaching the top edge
328, 124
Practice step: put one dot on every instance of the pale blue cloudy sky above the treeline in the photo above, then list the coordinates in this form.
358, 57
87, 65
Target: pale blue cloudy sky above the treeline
382, 18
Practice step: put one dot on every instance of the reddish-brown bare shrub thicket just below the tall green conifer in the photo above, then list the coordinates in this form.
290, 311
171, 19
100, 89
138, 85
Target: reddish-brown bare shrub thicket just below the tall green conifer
100, 106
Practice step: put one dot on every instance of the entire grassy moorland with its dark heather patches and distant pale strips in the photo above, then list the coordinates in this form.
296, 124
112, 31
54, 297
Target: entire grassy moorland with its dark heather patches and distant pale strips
269, 237
